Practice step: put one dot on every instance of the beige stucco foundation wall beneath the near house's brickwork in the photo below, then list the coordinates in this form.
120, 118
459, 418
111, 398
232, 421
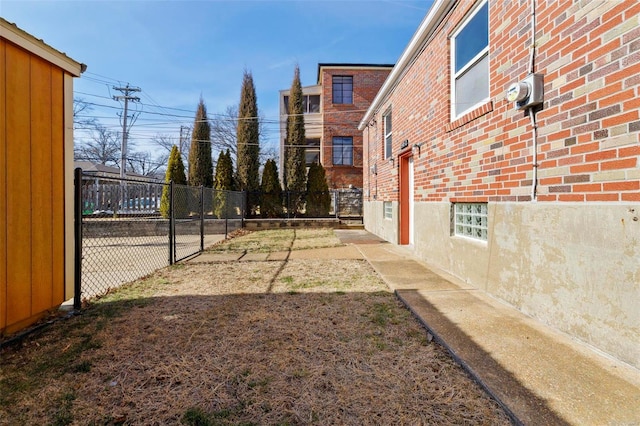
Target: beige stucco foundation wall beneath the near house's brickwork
574, 267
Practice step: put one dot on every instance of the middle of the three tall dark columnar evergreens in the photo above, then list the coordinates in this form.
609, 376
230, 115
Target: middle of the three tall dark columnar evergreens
248, 148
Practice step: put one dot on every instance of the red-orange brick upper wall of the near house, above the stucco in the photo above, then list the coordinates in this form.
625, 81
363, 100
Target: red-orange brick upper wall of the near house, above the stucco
588, 128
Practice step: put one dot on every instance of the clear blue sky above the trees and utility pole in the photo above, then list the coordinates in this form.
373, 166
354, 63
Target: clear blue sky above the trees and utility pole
177, 51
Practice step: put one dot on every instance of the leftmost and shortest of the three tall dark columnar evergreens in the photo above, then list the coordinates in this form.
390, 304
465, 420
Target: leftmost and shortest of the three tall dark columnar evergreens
200, 165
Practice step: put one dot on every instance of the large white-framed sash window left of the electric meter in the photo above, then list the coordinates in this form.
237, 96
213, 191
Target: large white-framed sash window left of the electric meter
470, 62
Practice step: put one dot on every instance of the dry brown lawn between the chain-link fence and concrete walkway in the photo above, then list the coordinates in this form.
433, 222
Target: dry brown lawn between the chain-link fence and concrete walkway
296, 342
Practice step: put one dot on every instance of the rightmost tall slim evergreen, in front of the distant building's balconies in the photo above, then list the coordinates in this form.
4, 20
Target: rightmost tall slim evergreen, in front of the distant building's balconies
295, 168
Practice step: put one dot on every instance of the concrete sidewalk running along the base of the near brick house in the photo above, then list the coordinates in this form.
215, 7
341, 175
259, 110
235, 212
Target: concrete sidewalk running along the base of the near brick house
541, 376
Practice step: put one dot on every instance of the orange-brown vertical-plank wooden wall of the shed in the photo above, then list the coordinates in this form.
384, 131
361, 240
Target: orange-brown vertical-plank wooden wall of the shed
32, 186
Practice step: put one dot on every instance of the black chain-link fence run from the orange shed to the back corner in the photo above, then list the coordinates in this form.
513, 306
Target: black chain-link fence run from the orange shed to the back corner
127, 229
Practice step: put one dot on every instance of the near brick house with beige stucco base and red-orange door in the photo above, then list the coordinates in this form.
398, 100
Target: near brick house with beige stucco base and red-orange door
524, 186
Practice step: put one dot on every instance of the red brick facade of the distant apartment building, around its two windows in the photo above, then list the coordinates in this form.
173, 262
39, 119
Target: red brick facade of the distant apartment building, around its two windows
343, 119
